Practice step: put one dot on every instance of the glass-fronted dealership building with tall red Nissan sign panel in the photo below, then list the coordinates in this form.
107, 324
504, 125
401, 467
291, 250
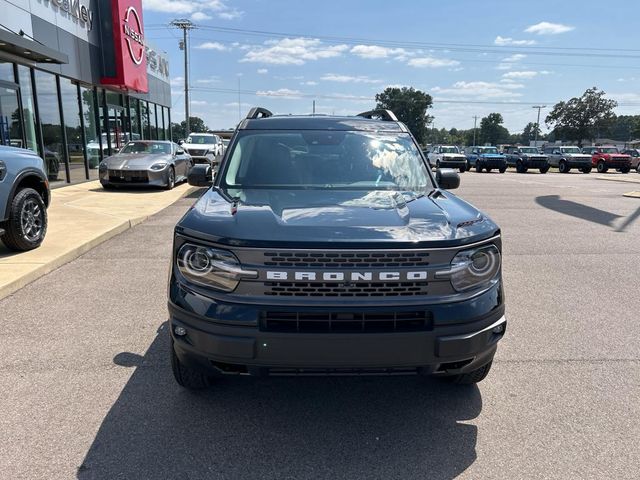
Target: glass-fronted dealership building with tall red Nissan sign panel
77, 80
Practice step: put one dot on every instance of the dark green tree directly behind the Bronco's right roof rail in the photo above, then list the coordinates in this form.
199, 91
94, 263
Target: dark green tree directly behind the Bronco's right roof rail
410, 106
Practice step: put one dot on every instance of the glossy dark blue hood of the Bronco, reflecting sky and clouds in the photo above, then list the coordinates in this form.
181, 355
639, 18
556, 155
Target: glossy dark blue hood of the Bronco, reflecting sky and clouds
313, 217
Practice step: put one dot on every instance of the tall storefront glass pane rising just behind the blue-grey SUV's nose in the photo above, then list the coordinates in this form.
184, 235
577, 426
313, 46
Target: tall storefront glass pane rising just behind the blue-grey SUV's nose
51, 126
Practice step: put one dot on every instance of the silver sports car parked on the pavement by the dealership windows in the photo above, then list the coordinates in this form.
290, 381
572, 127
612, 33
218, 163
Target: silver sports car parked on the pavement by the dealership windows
146, 162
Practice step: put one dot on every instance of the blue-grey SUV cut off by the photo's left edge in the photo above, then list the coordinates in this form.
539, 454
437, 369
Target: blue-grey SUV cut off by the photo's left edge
24, 198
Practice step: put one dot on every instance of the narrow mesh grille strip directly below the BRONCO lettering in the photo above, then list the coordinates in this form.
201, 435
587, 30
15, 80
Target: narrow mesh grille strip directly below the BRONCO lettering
335, 289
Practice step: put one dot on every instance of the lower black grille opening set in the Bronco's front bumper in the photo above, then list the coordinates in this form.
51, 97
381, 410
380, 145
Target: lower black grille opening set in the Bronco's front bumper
346, 322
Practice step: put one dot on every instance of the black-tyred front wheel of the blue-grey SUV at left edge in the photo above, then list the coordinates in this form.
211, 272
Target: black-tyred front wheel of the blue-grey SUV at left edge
27, 224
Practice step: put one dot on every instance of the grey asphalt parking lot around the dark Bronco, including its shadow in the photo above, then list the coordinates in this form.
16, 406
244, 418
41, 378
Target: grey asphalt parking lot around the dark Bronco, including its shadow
88, 392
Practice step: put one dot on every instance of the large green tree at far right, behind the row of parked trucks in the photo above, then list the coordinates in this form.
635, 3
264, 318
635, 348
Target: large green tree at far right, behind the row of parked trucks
582, 117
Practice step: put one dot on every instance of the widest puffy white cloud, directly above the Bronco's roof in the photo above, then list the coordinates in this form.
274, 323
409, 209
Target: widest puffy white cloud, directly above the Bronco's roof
292, 51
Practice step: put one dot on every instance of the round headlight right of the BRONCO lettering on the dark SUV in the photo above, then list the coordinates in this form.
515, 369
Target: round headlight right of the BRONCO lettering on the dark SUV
473, 268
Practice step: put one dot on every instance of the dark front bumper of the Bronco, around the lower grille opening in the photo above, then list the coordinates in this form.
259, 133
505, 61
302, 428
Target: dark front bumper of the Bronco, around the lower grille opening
231, 338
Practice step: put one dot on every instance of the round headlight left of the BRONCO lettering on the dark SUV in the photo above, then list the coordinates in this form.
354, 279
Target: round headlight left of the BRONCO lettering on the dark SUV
211, 267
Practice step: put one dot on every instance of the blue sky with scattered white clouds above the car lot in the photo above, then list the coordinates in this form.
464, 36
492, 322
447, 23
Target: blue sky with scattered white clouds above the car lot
473, 57
